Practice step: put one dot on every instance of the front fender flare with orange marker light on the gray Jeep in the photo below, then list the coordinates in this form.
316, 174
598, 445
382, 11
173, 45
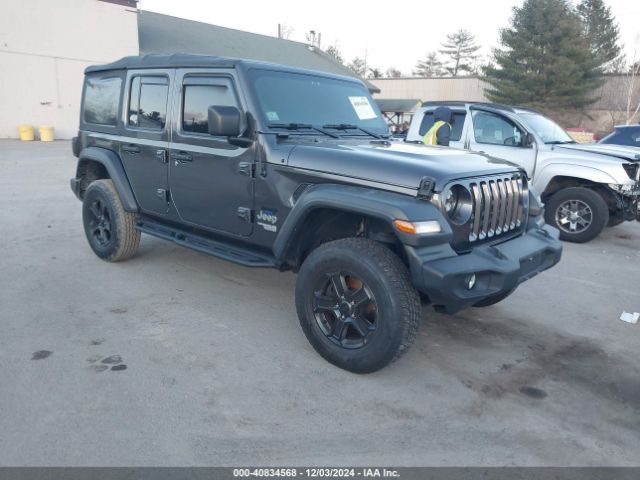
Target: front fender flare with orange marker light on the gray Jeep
386, 206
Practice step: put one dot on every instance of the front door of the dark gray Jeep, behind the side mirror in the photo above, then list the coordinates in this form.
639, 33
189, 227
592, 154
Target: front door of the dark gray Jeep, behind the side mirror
211, 181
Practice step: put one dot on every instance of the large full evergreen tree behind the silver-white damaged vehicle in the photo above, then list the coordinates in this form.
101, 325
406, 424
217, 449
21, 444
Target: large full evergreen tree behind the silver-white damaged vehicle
544, 59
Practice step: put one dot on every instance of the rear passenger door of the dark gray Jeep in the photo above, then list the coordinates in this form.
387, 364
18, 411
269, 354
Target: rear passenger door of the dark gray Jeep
145, 143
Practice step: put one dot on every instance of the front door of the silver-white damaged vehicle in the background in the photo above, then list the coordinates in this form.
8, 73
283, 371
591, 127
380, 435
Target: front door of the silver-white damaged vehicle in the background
500, 137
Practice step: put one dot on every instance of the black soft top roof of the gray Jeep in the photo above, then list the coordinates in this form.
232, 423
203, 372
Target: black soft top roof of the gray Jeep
189, 60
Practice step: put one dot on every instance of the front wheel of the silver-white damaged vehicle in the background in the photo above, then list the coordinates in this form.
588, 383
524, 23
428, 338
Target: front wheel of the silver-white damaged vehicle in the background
578, 212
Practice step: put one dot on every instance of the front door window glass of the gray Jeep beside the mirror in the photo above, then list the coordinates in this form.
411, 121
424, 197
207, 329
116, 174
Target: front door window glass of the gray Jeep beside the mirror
199, 94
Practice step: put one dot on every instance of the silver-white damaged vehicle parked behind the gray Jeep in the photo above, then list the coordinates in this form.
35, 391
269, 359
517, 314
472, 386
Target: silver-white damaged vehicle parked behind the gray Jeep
585, 186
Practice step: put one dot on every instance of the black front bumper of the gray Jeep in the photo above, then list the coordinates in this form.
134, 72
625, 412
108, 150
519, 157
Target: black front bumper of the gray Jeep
442, 274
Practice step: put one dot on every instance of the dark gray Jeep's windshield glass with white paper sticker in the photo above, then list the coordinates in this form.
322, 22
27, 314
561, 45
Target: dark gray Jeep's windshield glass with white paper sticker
313, 105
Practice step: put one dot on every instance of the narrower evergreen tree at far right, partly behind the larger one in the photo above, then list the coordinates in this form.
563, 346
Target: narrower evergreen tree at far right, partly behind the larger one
601, 31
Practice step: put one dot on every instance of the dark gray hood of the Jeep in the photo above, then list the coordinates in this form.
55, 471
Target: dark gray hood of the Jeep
395, 163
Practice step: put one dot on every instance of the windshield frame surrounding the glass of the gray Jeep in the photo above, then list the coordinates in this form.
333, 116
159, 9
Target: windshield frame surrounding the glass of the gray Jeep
263, 122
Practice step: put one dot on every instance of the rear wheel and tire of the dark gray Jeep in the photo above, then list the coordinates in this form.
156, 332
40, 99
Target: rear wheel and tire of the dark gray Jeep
110, 230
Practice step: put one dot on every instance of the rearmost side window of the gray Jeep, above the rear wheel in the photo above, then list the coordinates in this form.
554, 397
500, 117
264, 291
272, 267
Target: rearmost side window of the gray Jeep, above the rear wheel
101, 100
